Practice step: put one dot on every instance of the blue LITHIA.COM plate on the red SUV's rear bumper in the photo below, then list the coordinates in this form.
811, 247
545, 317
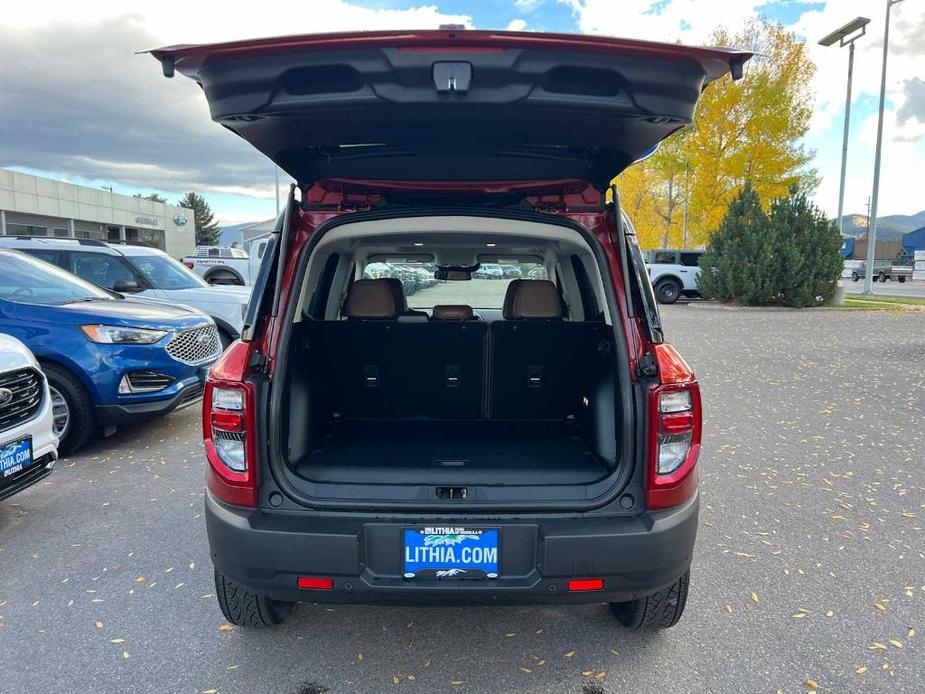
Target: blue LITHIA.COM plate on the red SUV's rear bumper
448, 552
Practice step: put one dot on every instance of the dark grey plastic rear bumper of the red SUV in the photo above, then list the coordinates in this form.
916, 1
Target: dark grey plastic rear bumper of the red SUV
266, 552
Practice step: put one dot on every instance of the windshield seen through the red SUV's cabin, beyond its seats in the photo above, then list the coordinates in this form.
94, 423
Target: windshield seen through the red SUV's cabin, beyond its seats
486, 289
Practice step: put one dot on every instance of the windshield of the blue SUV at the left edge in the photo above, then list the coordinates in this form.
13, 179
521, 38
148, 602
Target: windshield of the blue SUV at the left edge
32, 281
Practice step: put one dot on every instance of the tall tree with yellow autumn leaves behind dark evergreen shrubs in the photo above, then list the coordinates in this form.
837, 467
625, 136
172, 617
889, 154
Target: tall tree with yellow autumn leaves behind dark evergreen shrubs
745, 130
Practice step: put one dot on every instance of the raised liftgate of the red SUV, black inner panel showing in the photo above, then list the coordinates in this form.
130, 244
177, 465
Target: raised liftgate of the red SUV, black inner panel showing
452, 105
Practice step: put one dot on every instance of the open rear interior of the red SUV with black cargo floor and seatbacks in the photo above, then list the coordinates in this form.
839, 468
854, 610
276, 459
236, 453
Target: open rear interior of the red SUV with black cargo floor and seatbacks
390, 397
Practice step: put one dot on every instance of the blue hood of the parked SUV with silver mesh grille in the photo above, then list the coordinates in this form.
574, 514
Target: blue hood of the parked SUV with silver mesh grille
137, 313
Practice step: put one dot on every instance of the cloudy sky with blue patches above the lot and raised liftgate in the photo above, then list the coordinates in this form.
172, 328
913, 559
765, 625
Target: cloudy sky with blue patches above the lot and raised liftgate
77, 103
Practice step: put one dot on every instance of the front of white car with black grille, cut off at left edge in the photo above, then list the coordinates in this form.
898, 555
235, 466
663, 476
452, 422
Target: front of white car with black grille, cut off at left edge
28, 445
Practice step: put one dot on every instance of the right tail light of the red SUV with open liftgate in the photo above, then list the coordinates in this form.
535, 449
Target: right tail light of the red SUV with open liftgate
674, 434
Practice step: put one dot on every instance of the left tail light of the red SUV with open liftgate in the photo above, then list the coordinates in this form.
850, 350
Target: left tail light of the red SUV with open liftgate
229, 430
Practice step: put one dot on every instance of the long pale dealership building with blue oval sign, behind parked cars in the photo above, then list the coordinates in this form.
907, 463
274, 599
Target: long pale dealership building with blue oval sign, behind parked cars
36, 206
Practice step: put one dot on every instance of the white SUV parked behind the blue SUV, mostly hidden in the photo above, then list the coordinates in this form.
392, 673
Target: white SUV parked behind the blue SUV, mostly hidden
143, 272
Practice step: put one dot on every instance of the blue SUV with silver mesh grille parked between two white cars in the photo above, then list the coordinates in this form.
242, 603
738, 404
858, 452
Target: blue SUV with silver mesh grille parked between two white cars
108, 360
